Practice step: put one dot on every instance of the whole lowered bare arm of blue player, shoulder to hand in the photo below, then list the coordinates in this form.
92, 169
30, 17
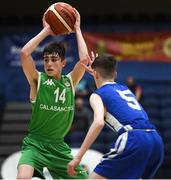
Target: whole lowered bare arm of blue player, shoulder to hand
96, 127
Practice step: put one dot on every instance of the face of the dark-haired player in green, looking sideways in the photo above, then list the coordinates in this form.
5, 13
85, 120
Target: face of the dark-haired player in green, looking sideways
53, 64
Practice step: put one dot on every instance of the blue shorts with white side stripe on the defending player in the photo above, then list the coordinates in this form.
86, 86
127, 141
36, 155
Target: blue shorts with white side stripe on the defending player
136, 154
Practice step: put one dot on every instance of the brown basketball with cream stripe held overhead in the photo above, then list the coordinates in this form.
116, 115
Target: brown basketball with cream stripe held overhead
61, 18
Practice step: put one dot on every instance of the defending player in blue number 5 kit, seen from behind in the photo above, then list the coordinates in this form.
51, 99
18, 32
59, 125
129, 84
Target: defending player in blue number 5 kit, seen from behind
138, 151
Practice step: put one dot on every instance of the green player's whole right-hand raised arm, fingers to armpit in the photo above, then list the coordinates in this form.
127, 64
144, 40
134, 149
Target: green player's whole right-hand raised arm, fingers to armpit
79, 70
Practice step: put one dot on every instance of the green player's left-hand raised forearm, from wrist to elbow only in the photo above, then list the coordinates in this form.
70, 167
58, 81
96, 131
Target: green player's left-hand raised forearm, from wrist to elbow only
33, 43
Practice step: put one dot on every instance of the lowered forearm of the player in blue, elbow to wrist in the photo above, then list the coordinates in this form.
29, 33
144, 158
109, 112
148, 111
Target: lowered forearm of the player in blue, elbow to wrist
91, 136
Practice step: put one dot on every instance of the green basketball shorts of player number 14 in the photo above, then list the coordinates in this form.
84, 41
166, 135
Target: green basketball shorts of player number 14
42, 153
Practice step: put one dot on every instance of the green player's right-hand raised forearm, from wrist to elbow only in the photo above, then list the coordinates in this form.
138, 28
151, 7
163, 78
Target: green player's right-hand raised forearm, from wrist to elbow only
82, 47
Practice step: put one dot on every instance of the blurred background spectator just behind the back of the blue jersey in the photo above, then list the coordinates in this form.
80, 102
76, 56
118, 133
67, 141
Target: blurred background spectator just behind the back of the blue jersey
136, 89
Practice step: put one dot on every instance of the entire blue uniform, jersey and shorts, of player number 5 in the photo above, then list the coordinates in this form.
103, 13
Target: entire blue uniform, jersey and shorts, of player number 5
138, 151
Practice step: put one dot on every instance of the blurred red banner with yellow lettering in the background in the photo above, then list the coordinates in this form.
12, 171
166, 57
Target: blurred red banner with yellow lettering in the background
151, 46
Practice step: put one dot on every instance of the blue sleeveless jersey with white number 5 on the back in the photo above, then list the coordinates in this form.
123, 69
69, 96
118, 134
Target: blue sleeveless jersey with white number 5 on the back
122, 107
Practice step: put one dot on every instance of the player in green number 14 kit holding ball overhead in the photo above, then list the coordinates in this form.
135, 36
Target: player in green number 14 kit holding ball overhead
52, 97
